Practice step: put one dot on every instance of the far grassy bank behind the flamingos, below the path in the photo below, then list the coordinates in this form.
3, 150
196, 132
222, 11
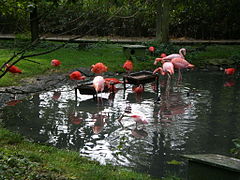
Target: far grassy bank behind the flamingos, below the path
73, 56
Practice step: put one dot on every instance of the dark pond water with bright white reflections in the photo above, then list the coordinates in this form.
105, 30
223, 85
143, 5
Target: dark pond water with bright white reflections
199, 115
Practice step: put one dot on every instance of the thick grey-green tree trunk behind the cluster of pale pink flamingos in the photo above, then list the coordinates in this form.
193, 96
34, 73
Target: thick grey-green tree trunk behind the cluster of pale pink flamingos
162, 21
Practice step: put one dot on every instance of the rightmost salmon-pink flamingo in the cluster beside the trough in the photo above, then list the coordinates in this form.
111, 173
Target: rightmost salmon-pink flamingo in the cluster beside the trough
180, 63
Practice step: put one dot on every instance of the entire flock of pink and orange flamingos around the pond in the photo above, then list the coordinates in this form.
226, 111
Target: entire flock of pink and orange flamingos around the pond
168, 65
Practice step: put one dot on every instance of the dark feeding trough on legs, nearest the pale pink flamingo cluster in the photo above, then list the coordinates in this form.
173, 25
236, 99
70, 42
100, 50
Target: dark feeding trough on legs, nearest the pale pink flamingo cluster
141, 77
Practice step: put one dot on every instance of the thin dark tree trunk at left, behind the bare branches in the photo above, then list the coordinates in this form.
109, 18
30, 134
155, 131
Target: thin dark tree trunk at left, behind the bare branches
34, 24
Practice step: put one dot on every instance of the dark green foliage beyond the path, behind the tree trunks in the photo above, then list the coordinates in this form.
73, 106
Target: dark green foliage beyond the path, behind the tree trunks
196, 19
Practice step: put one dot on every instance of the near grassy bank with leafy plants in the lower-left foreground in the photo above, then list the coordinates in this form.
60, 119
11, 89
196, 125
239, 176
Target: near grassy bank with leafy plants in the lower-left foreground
21, 159
